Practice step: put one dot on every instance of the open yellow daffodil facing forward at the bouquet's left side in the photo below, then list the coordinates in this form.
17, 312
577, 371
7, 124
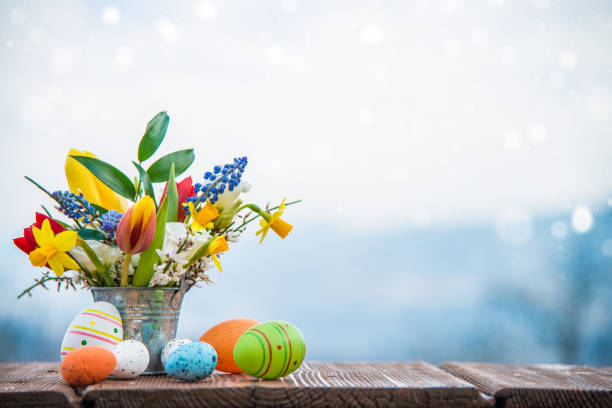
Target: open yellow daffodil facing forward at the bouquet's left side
52, 249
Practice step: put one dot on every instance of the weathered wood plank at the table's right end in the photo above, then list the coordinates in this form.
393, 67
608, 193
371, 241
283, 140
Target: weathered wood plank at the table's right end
542, 385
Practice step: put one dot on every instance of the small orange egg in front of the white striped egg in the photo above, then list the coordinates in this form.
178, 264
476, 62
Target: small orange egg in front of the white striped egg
87, 365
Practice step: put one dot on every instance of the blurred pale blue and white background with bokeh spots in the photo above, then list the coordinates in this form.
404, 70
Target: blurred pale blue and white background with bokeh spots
453, 158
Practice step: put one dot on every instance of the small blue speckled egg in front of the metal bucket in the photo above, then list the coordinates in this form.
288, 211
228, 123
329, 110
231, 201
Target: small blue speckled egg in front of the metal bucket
192, 361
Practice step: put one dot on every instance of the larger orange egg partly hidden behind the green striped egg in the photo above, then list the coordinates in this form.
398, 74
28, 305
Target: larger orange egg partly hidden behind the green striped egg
223, 338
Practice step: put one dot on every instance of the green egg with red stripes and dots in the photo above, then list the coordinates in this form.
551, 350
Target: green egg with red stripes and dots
270, 350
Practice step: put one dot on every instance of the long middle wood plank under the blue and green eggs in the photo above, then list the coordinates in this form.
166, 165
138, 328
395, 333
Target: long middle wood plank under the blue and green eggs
315, 384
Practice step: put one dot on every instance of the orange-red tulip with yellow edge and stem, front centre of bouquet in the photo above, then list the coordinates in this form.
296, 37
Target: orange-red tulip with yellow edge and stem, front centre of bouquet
135, 231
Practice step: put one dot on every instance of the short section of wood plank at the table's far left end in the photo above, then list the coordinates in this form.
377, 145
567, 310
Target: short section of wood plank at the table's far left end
34, 385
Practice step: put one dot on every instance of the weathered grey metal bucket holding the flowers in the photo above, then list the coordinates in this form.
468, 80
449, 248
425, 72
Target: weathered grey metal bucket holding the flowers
150, 315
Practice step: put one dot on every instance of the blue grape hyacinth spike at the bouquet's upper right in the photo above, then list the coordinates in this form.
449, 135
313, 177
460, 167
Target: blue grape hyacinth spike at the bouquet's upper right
217, 181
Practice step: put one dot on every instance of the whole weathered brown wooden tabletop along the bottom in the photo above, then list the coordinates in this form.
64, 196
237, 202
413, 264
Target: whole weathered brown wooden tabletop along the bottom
319, 384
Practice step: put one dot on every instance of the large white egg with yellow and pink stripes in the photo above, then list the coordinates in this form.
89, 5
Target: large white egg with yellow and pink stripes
99, 324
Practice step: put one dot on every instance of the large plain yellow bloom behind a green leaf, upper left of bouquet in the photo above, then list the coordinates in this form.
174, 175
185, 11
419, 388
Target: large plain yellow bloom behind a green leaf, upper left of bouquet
81, 179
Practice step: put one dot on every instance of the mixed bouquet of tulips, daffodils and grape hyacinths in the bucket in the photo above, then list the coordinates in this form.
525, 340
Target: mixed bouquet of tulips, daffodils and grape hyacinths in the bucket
114, 233
